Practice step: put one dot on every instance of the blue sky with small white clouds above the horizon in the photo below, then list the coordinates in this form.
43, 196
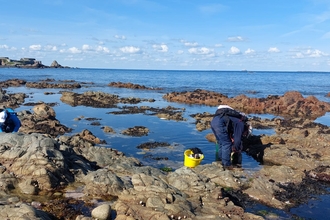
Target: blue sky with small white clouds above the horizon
279, 35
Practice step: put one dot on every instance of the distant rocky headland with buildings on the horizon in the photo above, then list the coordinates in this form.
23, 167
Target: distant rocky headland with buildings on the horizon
27, 63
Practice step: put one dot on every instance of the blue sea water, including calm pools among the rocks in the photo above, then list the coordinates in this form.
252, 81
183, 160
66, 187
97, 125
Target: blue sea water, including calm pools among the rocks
181, 135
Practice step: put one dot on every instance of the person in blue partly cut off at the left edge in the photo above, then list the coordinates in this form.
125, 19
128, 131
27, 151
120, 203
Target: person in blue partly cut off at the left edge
9, 122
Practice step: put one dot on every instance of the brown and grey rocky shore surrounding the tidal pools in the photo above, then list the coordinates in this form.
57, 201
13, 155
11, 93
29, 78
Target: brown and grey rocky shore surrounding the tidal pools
46, 174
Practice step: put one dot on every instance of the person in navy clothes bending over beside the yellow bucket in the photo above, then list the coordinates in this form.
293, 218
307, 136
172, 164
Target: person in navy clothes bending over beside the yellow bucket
229, 126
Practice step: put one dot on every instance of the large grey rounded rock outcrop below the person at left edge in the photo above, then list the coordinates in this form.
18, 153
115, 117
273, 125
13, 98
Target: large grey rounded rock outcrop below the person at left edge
36, 157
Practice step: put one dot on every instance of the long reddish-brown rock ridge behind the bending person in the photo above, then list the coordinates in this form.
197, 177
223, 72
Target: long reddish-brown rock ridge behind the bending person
291, 104
